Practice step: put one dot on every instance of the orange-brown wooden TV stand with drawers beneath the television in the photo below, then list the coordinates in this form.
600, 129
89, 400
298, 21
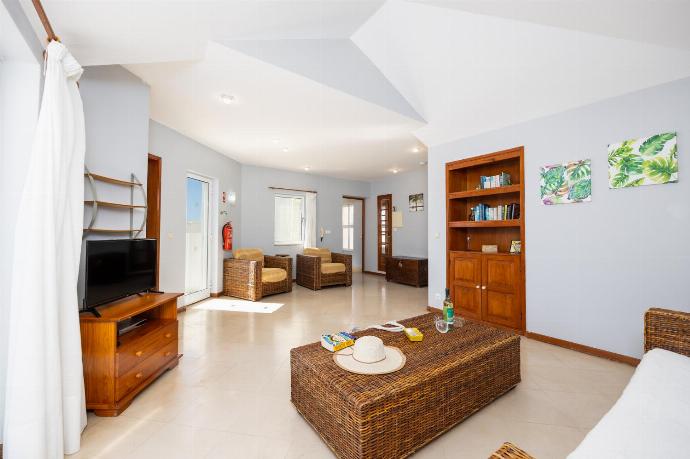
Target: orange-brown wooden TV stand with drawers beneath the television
117, 368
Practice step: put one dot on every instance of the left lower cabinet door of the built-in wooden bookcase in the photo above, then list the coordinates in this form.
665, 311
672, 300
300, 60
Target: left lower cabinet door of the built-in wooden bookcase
465, 283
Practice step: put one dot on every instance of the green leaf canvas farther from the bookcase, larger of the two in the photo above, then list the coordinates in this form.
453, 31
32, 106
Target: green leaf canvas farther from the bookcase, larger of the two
648, 161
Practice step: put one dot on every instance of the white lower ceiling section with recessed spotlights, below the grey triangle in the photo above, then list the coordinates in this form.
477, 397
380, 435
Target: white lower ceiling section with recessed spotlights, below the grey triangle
279, 119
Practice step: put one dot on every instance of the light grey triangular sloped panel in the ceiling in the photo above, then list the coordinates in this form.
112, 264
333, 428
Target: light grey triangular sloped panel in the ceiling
337, 63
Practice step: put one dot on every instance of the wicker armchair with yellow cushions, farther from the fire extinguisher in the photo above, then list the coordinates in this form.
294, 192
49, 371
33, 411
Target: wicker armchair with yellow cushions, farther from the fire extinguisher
318, 268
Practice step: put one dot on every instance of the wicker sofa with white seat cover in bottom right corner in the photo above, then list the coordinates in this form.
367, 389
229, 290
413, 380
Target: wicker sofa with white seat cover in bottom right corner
650, 419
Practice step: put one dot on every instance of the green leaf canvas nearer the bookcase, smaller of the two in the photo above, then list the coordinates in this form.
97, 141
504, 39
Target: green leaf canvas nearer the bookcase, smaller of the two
566, 183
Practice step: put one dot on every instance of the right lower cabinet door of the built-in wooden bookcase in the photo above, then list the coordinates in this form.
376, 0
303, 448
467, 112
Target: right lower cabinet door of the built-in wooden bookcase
501, 290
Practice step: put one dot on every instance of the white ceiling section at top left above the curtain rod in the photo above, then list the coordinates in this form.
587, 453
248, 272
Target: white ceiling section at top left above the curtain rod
121, 32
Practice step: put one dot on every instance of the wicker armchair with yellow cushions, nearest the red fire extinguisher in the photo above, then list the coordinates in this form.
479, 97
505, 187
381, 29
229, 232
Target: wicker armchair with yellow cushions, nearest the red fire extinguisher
252, 276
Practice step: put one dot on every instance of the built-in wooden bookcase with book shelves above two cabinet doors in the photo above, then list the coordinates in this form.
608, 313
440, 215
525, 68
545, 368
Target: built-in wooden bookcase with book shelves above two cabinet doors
488, 287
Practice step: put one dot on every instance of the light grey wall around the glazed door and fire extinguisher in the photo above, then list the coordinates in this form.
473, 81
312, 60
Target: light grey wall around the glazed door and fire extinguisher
181, 155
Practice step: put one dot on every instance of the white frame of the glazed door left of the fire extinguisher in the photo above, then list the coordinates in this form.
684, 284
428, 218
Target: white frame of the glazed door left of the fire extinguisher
212, 255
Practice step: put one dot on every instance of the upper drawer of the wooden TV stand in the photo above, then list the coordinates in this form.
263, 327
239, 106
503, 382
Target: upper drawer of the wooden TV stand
145, 341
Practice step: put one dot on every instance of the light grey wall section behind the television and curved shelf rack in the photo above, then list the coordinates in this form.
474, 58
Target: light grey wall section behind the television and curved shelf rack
116, 112
